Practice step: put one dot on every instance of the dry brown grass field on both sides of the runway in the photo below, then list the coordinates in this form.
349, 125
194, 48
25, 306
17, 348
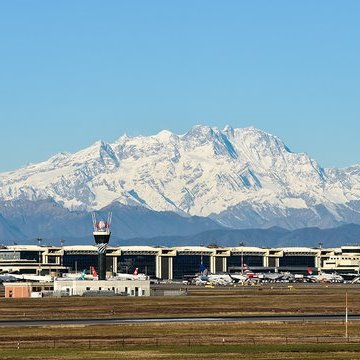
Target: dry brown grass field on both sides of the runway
269, 340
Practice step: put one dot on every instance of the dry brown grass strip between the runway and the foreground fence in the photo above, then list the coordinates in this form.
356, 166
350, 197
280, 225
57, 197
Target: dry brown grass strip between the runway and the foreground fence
195, 333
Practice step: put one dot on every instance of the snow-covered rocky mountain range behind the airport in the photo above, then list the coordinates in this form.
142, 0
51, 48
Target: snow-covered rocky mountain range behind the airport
240, 178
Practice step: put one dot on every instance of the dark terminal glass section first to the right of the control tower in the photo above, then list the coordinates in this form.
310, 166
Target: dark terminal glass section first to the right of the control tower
146, 264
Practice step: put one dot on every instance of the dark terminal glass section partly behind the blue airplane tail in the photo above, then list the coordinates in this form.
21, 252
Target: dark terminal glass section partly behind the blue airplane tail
188, 265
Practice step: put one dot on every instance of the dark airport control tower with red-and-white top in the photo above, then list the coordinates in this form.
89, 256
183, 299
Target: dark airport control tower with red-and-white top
101, 232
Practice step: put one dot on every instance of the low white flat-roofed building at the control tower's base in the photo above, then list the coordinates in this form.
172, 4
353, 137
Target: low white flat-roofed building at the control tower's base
99, 287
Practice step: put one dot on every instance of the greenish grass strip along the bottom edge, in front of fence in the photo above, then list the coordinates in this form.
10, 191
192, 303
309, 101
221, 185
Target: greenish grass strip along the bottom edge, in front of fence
275, 352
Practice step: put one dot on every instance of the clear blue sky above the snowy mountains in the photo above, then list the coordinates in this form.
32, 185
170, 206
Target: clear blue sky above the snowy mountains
73, 72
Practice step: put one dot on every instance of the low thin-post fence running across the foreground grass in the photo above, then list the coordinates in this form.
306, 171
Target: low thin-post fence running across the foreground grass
97, 343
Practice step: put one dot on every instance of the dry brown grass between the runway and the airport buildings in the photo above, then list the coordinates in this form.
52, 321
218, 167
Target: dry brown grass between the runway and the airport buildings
200, 301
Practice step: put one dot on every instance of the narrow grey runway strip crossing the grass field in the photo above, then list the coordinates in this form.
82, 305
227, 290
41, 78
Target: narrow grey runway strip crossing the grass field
119, 321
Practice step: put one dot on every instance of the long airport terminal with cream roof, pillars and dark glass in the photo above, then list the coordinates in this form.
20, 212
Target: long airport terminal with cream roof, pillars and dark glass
176, 262
